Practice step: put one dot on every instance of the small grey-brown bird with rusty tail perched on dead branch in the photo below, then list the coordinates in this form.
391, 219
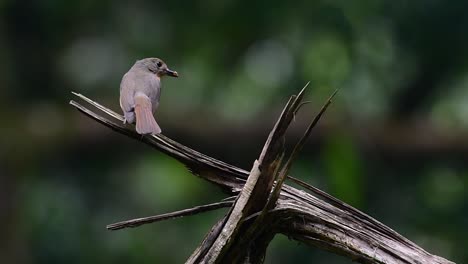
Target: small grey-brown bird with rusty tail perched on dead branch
140, 90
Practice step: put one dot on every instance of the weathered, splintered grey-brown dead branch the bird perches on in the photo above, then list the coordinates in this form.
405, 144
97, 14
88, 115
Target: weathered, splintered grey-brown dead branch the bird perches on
314, 217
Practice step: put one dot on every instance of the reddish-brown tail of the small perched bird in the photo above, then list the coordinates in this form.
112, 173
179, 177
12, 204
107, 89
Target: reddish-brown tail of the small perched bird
145, 122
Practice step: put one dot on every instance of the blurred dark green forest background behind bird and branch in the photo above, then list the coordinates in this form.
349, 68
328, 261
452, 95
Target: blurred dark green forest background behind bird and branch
394, 144
